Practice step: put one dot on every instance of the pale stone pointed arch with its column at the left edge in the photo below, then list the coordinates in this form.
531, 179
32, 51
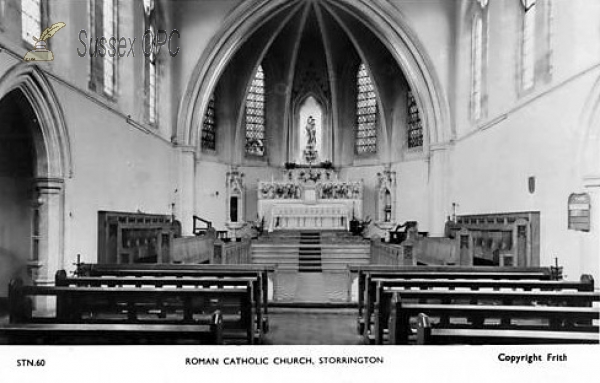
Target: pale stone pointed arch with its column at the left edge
53, 165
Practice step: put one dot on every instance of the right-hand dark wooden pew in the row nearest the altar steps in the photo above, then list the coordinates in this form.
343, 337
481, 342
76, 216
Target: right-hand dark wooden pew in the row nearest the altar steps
365, 275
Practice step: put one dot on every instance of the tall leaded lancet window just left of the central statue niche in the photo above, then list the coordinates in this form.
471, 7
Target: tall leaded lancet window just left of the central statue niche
255, 115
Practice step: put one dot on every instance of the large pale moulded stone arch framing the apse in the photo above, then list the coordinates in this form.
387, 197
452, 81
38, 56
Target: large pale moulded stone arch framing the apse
384, 19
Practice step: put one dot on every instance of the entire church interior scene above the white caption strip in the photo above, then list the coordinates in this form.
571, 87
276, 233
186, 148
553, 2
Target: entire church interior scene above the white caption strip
300, 172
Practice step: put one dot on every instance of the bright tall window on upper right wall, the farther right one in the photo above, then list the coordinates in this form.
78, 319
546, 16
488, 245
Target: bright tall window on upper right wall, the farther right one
528, 44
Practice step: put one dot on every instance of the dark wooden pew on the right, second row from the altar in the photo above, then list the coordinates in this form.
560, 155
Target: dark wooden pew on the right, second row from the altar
498, 292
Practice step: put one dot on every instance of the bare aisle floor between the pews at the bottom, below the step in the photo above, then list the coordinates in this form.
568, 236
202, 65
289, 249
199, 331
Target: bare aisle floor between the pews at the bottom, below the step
312, 327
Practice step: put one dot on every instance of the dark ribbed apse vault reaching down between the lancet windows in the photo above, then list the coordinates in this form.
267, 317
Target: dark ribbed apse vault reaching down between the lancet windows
313, 47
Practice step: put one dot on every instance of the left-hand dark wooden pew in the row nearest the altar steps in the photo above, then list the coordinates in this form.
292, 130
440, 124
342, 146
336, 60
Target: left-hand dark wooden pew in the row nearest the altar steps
261, 287
